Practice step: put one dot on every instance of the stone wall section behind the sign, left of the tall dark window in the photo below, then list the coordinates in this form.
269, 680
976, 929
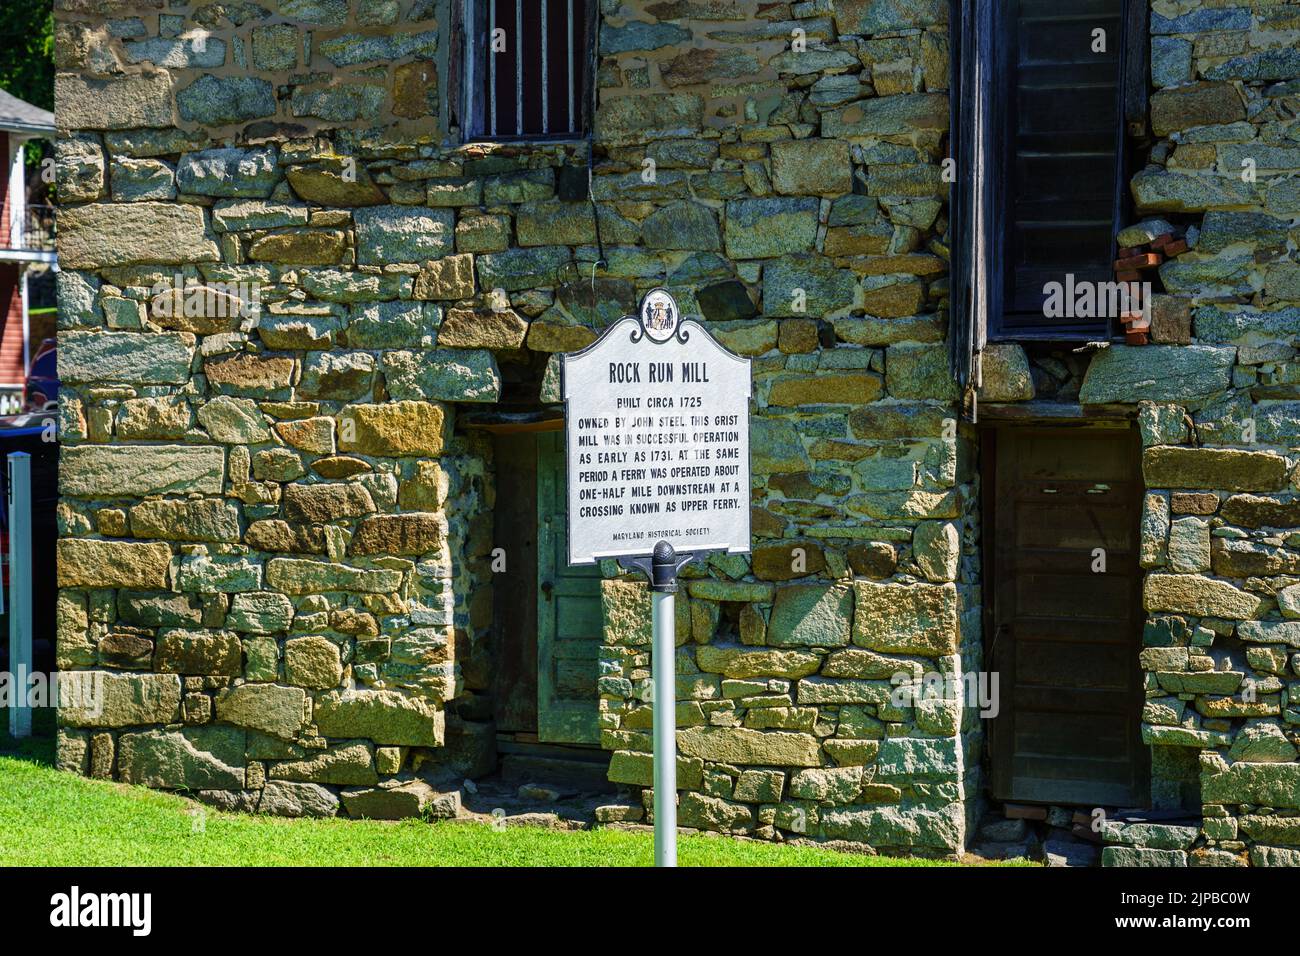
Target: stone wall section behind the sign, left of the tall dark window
246, 496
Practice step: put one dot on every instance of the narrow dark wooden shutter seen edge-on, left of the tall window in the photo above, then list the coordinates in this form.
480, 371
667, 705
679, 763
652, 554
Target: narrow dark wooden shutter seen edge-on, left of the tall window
972, 198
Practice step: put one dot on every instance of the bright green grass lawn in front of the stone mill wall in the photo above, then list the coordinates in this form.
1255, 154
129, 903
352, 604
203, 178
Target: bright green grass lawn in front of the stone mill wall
50, 819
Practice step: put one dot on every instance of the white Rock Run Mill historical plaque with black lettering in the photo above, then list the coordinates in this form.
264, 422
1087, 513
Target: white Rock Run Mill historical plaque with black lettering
657, 439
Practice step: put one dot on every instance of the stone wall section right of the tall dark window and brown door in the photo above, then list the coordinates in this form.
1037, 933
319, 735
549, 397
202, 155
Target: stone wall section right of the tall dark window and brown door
1220, 421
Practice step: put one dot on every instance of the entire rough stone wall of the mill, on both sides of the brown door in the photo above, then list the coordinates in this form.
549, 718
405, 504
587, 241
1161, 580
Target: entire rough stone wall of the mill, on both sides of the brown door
275, 535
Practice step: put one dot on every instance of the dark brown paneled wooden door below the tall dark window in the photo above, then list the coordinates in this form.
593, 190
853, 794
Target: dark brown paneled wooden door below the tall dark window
1067, 637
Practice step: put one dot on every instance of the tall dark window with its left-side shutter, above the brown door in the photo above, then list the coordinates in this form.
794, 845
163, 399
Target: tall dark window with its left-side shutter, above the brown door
1034, 200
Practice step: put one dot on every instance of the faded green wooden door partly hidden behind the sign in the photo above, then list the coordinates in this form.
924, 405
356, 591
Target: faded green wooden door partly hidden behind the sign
569, 615
